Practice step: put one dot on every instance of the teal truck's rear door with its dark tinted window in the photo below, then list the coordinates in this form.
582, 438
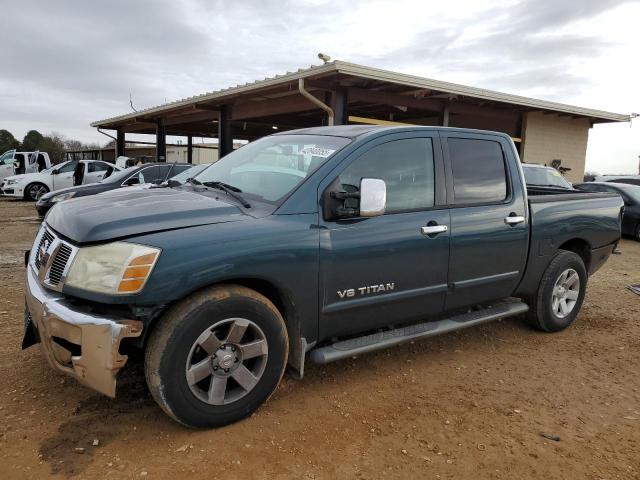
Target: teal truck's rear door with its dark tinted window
489, 218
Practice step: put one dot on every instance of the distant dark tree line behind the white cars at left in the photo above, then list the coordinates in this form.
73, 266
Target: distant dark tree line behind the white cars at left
54, 144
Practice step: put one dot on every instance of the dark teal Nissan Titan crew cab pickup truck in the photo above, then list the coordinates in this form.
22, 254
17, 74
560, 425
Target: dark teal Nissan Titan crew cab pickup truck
319, 244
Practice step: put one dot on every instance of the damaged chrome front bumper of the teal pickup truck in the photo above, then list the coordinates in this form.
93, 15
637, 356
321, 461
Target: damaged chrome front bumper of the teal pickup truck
74, 340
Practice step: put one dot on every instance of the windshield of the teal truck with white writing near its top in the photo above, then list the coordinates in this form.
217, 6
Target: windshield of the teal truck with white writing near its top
270, 169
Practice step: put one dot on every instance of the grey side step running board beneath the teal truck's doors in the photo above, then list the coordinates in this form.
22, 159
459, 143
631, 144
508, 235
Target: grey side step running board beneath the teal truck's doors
388, 338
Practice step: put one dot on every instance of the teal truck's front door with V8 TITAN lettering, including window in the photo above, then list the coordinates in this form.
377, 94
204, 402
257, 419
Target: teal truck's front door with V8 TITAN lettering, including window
384, 270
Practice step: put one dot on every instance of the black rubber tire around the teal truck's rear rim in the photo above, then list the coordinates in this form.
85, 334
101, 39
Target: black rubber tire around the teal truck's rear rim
542, 314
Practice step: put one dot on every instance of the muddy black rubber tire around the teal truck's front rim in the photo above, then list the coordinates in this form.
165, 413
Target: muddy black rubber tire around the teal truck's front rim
171, 345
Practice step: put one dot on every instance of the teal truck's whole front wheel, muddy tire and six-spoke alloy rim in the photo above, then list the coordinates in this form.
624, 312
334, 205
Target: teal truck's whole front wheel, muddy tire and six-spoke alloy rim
216, 356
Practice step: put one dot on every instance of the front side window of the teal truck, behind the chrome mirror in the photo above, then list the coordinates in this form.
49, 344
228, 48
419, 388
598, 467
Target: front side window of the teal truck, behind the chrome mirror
407, 168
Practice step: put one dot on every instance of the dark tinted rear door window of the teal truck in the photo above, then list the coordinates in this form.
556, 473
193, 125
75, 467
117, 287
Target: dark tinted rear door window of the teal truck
479, 173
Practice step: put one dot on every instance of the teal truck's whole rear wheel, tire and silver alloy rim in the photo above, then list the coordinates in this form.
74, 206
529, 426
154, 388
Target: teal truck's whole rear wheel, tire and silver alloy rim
560, 294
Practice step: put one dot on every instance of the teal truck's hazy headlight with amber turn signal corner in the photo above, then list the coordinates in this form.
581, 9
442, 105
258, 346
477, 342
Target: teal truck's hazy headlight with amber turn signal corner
118, 268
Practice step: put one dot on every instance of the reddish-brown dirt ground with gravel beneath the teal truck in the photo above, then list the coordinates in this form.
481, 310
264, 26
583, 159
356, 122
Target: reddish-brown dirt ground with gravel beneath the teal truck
472, 404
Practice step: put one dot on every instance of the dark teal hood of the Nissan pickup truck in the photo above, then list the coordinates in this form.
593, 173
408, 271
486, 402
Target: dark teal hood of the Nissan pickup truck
126, 212
